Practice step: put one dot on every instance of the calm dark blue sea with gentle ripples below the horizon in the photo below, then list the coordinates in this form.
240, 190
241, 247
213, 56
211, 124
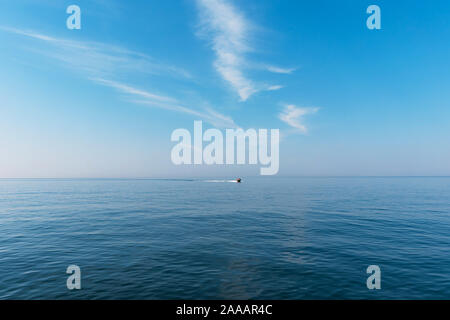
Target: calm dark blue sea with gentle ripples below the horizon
266, 238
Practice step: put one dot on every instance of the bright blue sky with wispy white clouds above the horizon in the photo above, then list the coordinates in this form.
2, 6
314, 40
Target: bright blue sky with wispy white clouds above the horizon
102, 101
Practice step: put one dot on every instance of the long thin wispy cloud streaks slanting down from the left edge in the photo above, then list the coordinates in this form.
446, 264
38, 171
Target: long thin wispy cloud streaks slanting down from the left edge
104, 63
